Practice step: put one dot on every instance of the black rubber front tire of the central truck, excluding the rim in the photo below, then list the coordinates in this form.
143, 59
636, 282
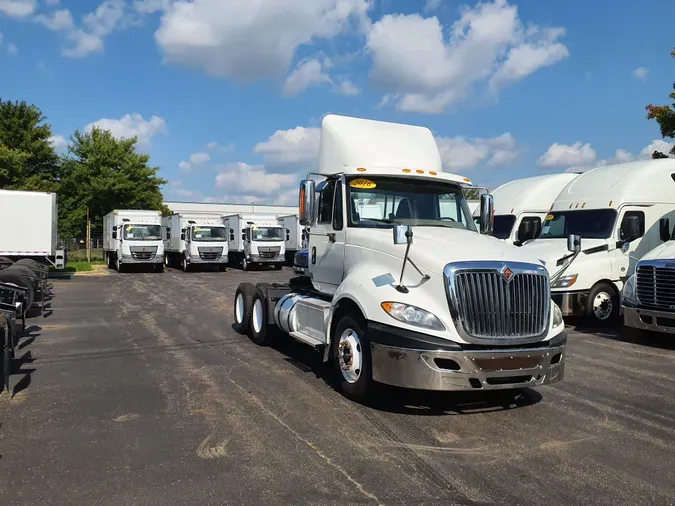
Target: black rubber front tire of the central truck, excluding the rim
362, 388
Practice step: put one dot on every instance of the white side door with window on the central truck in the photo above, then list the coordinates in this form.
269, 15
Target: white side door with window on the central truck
327, 239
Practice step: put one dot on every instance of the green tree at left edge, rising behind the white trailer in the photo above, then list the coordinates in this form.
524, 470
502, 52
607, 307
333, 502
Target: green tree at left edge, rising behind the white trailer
27, 158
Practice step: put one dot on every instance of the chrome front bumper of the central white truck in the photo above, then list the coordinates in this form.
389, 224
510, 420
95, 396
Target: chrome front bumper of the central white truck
494, 369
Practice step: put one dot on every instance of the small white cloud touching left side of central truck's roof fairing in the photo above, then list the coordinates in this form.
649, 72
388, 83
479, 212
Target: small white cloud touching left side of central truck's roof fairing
294, 149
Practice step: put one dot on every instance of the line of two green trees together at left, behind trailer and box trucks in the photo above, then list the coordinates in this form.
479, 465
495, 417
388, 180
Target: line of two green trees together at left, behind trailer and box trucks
97, 172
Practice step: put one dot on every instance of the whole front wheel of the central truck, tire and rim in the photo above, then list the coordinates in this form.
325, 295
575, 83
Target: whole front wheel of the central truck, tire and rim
352, 359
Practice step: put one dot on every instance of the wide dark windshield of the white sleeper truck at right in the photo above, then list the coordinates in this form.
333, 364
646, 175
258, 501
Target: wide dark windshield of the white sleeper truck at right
592, 224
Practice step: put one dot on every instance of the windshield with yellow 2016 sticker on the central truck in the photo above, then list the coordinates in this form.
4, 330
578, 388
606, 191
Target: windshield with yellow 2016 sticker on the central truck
383, 201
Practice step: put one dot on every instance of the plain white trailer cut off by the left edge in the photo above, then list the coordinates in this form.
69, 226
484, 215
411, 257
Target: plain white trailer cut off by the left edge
29, 227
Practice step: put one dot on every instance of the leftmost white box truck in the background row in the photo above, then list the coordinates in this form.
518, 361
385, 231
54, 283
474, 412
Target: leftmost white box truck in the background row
133, 237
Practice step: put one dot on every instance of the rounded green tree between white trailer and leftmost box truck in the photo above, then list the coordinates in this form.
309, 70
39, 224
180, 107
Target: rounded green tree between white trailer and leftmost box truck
103, 173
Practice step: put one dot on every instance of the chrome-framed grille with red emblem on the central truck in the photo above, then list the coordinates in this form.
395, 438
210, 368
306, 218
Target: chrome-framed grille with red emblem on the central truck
488, 306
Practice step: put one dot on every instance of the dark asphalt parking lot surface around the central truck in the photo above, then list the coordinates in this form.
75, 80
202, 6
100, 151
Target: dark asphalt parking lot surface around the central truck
134, 389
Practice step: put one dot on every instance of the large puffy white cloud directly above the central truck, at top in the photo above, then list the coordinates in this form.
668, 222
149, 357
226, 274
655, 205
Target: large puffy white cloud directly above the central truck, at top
416, 66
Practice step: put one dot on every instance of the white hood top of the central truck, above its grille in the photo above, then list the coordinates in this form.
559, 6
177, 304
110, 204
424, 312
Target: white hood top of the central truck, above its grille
434, 247
